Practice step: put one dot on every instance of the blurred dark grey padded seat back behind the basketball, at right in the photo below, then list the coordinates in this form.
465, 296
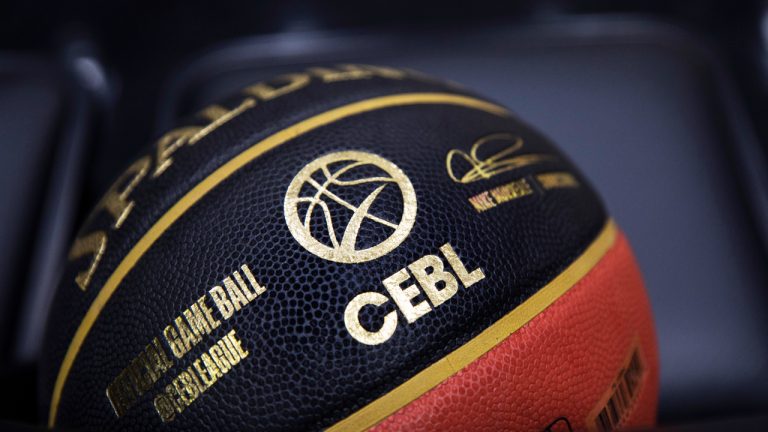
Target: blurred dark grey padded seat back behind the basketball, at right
639, 107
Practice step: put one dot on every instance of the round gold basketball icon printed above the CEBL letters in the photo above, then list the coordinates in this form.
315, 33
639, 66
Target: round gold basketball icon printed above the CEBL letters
334, 207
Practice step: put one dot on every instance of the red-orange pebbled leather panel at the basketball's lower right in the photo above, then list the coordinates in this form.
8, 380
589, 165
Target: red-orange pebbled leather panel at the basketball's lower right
558, 366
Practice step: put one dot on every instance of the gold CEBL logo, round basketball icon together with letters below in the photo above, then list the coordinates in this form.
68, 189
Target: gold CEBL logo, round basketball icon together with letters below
315, 195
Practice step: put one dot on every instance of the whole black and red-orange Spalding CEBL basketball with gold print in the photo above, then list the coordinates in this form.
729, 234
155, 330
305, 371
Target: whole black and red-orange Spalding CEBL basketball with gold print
351, 247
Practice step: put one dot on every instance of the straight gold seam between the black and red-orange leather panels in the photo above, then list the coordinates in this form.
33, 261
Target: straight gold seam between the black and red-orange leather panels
429, 378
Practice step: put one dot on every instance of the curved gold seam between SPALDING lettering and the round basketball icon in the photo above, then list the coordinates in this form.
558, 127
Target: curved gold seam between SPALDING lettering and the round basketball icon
221, 174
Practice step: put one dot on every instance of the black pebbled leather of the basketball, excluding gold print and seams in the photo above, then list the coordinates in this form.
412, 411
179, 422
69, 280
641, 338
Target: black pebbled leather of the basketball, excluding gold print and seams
304, 370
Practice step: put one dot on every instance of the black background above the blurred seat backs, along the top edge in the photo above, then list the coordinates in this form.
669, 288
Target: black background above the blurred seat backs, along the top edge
141, 44
